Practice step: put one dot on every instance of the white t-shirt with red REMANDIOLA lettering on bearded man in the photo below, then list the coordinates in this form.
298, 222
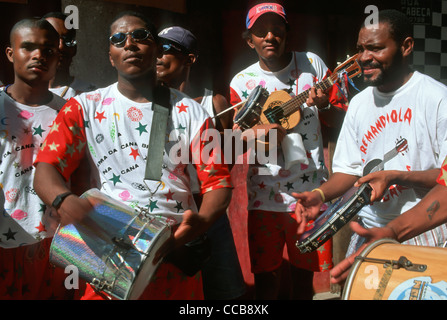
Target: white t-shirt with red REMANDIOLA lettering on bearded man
376, 121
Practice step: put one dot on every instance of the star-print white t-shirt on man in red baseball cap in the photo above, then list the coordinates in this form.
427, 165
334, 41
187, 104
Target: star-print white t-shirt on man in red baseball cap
272, 191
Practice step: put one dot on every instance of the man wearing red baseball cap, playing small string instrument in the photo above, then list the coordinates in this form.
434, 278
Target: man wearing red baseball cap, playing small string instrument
271, 206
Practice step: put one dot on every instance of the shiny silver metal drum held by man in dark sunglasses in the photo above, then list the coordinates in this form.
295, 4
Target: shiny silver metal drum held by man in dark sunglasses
113, 248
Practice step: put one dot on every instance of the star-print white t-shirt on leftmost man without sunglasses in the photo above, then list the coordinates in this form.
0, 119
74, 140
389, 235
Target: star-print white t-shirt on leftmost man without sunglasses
23, 130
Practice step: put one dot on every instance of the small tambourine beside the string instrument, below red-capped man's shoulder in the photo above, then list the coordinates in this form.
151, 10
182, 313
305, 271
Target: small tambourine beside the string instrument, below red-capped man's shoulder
250, 114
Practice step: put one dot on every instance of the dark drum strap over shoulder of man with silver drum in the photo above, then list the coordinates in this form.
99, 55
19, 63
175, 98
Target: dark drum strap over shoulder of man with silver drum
161, 111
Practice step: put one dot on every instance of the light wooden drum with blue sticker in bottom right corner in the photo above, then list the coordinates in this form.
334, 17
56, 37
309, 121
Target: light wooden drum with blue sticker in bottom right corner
388, 270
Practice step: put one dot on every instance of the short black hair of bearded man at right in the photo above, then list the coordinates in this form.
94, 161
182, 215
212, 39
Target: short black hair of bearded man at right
400, 26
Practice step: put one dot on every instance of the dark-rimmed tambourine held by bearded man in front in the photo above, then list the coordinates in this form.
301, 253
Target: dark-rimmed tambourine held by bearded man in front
334, 218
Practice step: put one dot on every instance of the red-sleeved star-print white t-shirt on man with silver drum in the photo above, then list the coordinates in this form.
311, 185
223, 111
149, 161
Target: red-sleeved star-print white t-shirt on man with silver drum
114, 131
